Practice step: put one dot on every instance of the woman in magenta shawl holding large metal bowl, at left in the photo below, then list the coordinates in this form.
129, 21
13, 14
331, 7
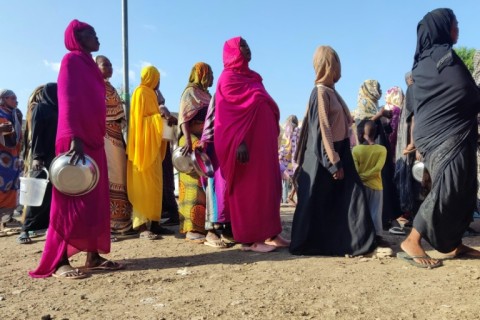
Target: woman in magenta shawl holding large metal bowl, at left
79, 223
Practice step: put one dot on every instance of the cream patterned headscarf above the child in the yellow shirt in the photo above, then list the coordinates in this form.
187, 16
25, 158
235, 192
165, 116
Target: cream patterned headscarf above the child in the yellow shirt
367, 102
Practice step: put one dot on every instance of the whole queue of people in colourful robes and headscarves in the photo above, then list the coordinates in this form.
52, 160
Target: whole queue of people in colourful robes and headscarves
344, 198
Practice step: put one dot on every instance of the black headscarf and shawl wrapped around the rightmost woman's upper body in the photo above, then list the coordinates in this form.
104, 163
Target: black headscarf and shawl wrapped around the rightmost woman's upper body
446, 99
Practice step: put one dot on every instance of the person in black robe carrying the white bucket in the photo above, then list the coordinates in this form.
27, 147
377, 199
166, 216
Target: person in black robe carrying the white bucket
43, 126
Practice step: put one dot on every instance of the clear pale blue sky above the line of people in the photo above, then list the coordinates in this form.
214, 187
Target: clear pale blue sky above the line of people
375, 39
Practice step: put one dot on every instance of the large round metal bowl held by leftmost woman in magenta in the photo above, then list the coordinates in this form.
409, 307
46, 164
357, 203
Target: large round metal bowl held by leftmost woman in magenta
74, 180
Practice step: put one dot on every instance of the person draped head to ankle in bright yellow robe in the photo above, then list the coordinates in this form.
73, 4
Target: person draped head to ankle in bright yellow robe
146, 151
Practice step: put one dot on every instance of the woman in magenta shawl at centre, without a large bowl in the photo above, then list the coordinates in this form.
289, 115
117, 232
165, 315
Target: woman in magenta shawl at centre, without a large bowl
246, 142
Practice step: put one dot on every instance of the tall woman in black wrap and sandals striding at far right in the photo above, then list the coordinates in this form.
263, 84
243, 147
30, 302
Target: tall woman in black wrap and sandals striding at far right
446, 102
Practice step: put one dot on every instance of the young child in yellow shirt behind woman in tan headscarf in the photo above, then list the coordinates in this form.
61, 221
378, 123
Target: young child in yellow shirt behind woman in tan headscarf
369, 160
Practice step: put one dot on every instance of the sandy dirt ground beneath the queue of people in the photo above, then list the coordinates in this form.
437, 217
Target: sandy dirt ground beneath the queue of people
173, 279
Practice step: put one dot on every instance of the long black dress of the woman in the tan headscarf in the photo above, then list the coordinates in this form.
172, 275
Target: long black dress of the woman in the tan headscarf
332, 216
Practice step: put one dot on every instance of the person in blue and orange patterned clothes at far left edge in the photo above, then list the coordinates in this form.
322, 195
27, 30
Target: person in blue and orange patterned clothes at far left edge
10, 162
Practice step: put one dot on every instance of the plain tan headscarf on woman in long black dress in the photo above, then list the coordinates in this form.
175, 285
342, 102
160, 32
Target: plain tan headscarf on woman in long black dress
327, 66
